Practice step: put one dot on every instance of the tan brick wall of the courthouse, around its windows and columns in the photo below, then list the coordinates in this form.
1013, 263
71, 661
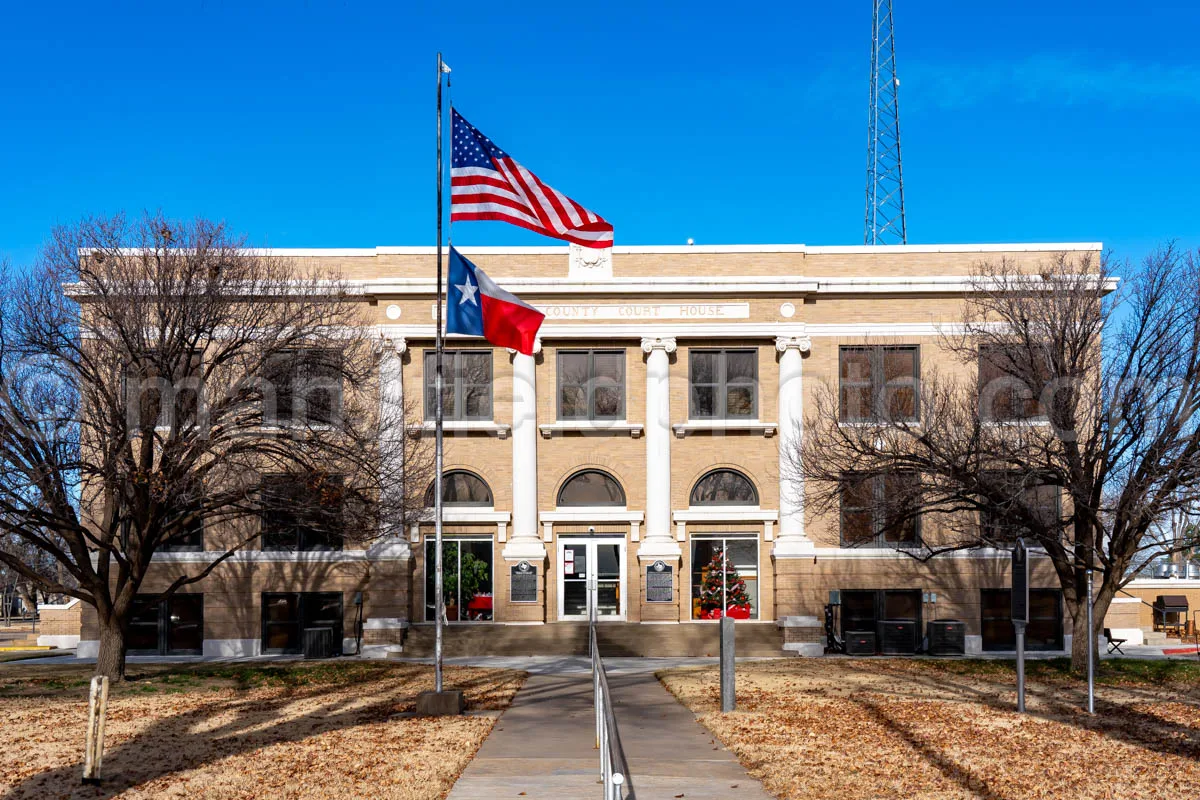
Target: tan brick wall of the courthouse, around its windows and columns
698, 299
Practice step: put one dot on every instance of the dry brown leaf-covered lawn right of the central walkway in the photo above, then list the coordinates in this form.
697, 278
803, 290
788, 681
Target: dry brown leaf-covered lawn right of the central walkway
859, 729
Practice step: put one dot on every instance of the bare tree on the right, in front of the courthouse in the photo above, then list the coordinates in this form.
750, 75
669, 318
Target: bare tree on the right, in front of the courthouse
1066, 413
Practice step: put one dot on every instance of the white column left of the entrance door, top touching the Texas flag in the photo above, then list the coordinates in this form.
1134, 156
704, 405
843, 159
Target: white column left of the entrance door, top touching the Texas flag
525, 543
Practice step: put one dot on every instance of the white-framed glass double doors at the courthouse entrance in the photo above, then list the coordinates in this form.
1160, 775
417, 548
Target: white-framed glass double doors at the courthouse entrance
581, 561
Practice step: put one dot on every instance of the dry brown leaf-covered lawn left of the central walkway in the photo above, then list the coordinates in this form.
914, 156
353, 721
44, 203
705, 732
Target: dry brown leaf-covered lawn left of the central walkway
301, 732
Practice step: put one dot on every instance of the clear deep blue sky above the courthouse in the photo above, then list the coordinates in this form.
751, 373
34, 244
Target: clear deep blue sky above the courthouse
310, 124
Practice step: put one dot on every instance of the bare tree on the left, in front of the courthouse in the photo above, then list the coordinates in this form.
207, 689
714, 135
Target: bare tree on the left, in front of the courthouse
152, 374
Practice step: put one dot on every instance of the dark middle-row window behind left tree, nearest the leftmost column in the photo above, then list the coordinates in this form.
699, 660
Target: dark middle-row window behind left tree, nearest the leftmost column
301, 514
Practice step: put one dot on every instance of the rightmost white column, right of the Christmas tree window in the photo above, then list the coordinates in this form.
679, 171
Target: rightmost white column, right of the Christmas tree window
793, 543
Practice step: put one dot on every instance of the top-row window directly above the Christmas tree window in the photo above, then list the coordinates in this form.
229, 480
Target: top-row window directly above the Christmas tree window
724, 384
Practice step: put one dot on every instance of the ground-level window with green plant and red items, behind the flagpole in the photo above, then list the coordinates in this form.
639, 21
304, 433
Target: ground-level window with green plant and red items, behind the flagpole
466, 579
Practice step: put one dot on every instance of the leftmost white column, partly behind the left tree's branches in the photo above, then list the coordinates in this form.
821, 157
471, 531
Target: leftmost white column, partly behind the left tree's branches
392, 446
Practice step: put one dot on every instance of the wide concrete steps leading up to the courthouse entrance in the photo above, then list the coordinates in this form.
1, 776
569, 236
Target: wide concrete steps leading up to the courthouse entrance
616, 640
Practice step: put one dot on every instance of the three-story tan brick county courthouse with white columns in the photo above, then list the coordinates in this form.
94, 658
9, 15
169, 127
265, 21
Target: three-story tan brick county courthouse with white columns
643, 443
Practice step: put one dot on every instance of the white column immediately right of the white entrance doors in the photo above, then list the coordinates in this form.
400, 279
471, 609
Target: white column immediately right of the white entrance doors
658, 542
